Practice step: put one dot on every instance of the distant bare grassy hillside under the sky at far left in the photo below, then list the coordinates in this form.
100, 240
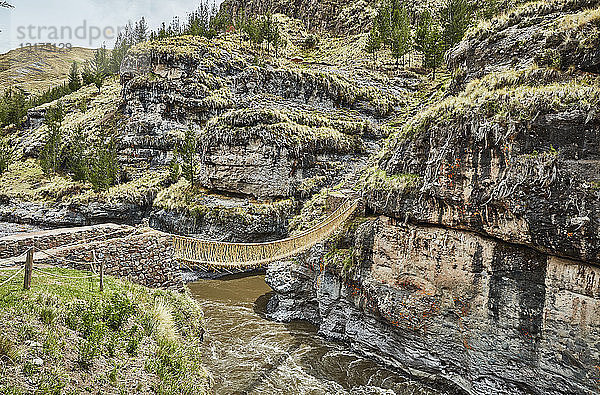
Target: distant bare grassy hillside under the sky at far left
36, 70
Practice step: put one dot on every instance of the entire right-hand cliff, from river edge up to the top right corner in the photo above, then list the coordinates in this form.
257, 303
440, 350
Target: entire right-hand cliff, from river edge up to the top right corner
478, 264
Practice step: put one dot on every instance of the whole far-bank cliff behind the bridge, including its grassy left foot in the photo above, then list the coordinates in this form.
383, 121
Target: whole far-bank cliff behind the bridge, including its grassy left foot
271, 133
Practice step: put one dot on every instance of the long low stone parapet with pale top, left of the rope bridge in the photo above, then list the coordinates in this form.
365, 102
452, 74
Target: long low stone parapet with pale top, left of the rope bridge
14, 245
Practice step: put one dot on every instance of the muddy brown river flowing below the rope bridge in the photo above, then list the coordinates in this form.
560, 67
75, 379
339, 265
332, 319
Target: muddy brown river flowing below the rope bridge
248, 354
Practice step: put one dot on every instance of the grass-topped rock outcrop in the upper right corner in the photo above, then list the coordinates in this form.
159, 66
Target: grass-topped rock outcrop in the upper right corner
555, 33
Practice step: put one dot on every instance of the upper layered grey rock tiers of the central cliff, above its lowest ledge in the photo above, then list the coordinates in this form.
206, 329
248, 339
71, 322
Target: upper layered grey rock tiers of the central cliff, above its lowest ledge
266, 132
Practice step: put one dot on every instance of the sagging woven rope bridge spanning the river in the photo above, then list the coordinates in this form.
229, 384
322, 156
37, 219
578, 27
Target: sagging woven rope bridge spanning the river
215, 255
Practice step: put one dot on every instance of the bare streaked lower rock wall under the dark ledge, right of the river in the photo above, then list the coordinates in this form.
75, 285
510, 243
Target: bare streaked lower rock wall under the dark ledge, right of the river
479, 313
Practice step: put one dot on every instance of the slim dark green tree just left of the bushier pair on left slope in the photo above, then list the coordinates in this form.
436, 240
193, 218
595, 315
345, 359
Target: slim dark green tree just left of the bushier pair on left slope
51, 155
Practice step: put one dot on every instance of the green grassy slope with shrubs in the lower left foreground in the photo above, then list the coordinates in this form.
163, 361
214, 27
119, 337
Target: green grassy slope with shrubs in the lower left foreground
64, 336
